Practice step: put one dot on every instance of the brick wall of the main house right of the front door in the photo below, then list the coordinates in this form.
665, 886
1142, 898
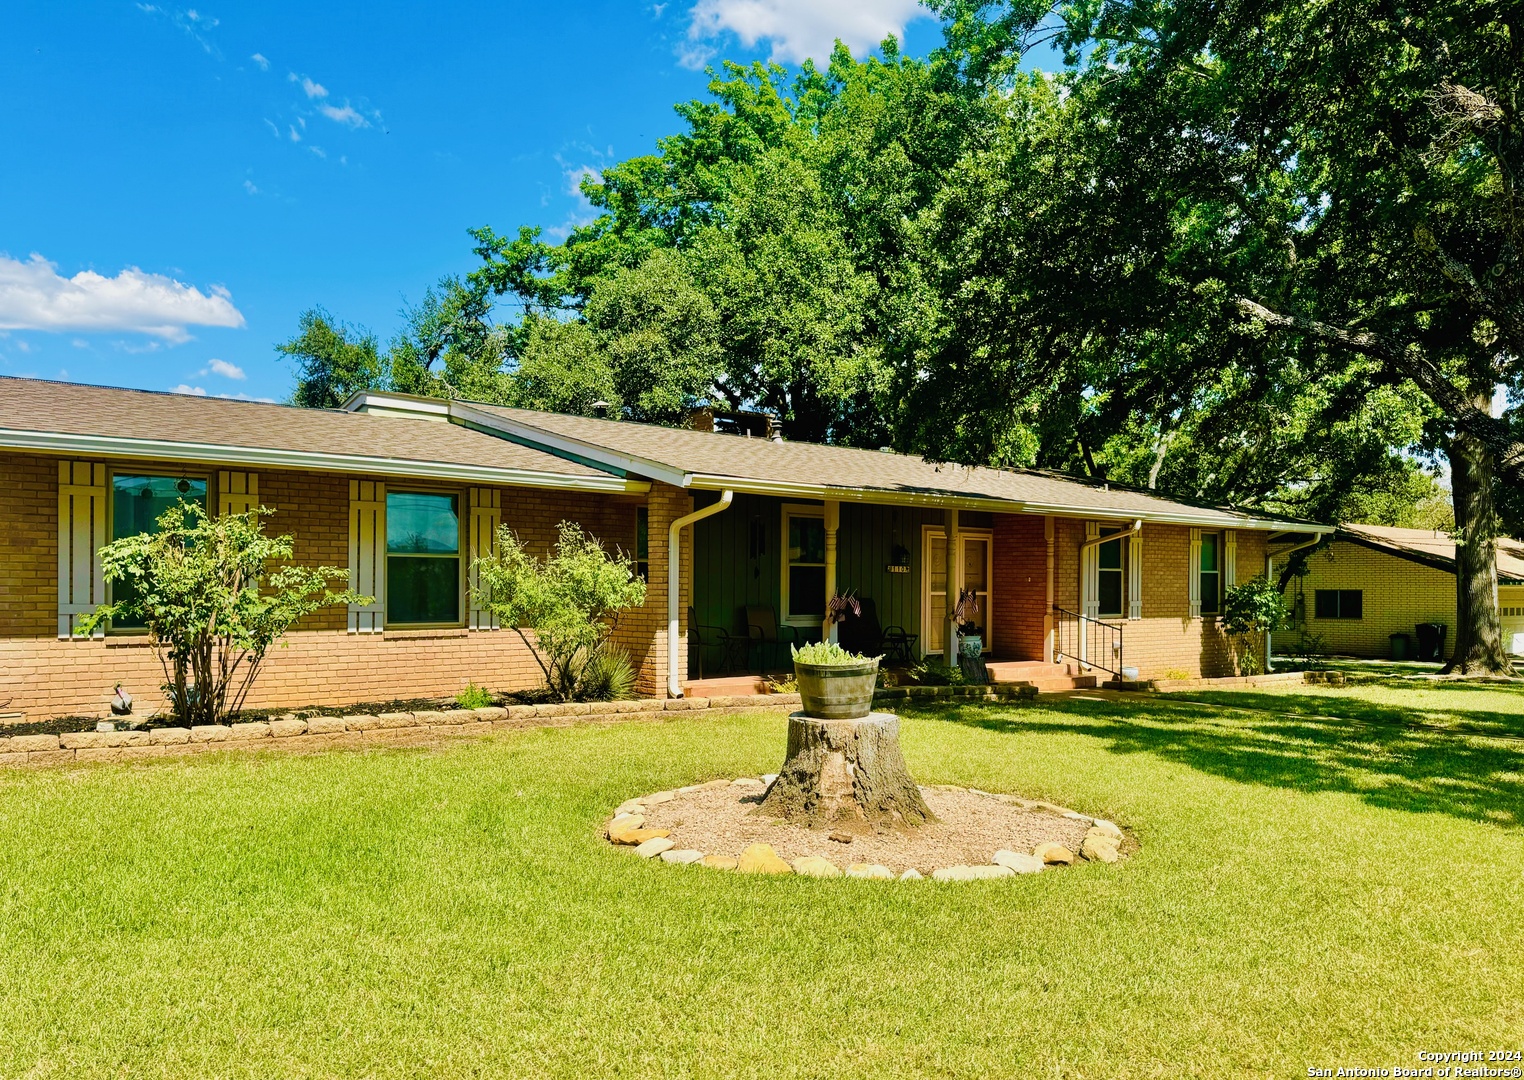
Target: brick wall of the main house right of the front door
1167, 641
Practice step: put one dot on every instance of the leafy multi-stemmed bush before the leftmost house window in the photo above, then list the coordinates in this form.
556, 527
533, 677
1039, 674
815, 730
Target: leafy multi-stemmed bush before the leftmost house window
213, 609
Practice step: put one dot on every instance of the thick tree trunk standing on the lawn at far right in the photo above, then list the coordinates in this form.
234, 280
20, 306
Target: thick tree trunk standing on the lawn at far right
1479, 628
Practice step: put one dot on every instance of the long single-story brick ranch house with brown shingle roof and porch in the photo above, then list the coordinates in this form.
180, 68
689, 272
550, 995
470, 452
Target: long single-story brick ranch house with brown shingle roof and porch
406, 491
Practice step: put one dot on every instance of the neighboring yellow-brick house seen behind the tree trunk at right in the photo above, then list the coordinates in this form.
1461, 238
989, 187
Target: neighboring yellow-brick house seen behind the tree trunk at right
1374, 581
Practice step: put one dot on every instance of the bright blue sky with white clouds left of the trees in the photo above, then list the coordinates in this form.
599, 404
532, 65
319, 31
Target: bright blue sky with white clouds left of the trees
182, 182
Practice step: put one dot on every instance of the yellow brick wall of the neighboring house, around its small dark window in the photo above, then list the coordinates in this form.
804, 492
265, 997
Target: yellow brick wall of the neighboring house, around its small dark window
1398, 596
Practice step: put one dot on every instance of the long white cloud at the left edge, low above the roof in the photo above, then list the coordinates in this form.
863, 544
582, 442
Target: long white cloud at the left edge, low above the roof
34, 296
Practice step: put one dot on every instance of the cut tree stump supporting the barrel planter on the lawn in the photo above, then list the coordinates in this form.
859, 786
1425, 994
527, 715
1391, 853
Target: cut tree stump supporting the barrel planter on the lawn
845, 773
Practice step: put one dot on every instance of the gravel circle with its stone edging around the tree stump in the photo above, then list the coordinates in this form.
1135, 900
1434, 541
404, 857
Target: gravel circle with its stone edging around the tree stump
978, 836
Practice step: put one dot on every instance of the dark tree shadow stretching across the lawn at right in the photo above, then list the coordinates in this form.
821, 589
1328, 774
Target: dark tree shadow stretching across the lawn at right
1391, 756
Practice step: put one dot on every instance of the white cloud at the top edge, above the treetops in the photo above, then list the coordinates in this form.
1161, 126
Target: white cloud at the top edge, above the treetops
798, 28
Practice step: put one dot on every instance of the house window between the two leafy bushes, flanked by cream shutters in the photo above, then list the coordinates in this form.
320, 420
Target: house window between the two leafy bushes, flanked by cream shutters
423, 560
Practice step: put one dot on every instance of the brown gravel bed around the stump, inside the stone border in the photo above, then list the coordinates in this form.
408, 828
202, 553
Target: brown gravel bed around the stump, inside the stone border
970, 829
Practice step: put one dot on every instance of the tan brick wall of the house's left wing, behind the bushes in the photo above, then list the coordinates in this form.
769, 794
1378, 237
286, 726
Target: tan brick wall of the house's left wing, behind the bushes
321, 662
